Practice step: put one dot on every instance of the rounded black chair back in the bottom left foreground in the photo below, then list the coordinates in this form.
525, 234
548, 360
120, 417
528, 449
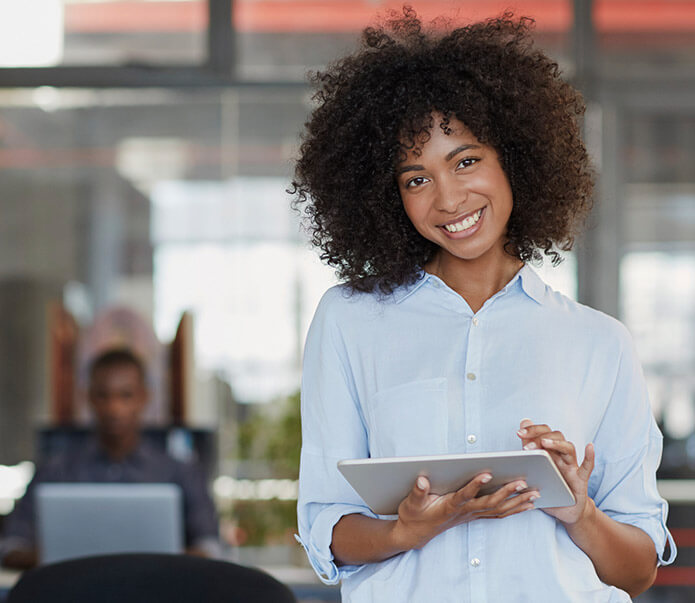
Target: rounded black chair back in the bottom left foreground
147, 578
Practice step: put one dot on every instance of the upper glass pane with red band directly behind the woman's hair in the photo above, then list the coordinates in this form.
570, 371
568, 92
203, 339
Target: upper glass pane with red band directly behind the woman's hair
283, 39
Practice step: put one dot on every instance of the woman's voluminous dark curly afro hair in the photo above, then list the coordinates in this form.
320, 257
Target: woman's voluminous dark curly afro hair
374, 105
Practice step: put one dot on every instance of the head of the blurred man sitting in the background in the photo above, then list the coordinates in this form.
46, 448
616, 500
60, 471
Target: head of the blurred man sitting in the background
117, 394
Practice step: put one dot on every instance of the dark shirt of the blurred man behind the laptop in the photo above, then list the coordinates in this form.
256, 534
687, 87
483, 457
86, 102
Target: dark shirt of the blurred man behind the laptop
89, 463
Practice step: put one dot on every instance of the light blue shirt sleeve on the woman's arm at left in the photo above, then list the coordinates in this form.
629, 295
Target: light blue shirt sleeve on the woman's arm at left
333, 429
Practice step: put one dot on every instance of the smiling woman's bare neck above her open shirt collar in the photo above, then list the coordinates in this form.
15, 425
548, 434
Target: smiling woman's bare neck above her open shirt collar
475, 280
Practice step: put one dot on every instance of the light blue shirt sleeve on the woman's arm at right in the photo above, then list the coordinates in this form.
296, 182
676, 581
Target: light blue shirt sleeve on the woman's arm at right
629, 446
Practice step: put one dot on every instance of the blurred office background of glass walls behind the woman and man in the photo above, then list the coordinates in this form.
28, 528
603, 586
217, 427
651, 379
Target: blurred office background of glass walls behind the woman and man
145, 149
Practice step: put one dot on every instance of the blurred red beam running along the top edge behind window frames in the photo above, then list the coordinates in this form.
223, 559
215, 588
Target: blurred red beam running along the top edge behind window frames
265, 16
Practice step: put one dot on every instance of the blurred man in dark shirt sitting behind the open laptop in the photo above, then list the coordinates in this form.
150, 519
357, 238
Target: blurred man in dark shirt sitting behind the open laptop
115, 454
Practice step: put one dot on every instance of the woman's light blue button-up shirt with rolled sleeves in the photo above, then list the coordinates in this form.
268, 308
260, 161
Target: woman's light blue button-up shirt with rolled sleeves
419, 373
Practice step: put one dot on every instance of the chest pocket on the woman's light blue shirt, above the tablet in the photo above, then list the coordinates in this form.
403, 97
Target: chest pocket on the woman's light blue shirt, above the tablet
409, 419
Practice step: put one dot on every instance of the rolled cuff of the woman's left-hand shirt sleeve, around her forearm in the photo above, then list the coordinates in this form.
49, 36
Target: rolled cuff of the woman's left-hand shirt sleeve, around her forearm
318, 544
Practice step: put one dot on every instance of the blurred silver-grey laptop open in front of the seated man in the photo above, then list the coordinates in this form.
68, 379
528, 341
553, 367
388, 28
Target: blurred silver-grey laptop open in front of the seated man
83, 519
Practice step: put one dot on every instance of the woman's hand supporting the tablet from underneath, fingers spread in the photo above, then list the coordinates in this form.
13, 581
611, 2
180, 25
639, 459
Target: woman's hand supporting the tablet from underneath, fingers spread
423, 515
